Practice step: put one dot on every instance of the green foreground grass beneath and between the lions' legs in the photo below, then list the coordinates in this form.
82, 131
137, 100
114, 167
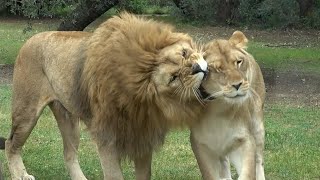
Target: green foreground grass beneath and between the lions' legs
292, 147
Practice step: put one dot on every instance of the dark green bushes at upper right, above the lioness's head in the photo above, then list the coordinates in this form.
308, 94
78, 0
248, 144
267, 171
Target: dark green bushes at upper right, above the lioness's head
263, 13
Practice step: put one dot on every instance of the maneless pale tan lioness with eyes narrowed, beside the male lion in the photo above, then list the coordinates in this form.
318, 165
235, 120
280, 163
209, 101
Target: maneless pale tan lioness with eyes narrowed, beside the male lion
233, 125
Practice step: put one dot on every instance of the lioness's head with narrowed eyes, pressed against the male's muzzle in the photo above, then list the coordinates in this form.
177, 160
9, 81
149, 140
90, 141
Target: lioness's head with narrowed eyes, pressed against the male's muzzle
230, 69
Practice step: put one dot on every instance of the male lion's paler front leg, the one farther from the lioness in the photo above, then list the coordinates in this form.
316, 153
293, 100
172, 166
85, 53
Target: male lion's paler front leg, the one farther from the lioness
110, 160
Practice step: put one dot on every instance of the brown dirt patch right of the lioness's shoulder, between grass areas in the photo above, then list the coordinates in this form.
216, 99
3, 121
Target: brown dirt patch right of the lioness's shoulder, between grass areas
294, 87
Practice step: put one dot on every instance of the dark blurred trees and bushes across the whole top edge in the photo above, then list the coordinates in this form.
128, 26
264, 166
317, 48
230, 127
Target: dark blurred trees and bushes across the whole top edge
250, 13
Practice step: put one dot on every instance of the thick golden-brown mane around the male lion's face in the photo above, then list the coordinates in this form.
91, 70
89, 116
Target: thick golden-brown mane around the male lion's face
116, 90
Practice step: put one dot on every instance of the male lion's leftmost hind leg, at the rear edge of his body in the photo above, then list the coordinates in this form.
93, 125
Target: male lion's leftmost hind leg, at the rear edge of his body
26, 110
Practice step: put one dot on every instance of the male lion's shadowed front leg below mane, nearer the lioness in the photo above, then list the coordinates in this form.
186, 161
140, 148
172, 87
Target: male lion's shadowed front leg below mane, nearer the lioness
143, 167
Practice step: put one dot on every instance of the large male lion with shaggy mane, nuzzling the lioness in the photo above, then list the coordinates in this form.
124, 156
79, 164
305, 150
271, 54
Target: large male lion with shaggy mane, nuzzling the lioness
129, 81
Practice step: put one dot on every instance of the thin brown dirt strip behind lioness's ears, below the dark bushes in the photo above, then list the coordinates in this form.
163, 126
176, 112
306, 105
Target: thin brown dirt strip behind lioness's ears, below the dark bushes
287, 38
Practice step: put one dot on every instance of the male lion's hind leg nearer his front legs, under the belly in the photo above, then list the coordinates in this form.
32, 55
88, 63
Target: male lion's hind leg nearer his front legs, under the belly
70, 132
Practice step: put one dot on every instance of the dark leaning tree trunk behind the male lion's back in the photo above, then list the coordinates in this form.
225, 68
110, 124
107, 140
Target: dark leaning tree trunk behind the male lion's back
86, 13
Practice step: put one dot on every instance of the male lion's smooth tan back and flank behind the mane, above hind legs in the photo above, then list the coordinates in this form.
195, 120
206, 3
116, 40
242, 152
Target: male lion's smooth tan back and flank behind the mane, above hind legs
49, 61
